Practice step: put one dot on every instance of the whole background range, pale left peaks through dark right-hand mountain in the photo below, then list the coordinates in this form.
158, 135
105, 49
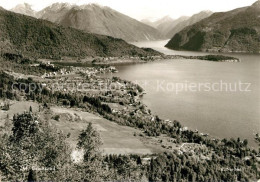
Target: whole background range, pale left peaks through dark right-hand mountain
233, 31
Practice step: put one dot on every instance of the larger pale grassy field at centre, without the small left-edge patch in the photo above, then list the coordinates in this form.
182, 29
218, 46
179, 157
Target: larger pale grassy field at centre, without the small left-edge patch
116, 139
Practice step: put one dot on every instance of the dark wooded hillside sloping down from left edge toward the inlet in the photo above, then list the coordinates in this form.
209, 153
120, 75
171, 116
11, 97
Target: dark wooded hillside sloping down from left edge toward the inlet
36, 38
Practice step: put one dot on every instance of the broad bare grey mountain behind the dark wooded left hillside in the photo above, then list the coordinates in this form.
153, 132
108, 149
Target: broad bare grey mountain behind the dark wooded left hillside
100, 20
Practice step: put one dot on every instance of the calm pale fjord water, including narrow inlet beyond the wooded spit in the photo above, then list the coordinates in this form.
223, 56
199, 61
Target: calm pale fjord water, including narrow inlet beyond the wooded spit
219, 113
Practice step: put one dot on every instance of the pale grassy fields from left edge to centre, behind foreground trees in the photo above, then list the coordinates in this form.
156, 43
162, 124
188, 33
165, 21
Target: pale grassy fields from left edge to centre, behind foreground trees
116, 139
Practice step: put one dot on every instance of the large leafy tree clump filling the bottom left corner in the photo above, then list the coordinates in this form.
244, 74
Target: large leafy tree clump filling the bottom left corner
34, 143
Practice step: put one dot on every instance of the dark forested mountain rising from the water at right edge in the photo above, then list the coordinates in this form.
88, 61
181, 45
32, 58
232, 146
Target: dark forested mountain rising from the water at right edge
233, 31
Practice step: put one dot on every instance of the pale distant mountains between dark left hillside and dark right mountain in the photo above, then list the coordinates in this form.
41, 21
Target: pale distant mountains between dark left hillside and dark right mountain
106, 21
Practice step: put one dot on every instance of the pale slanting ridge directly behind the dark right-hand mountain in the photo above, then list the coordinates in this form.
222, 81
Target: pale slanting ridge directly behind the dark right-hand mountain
190, 21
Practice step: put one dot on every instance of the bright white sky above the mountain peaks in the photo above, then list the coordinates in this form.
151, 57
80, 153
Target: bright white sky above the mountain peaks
141, 9
